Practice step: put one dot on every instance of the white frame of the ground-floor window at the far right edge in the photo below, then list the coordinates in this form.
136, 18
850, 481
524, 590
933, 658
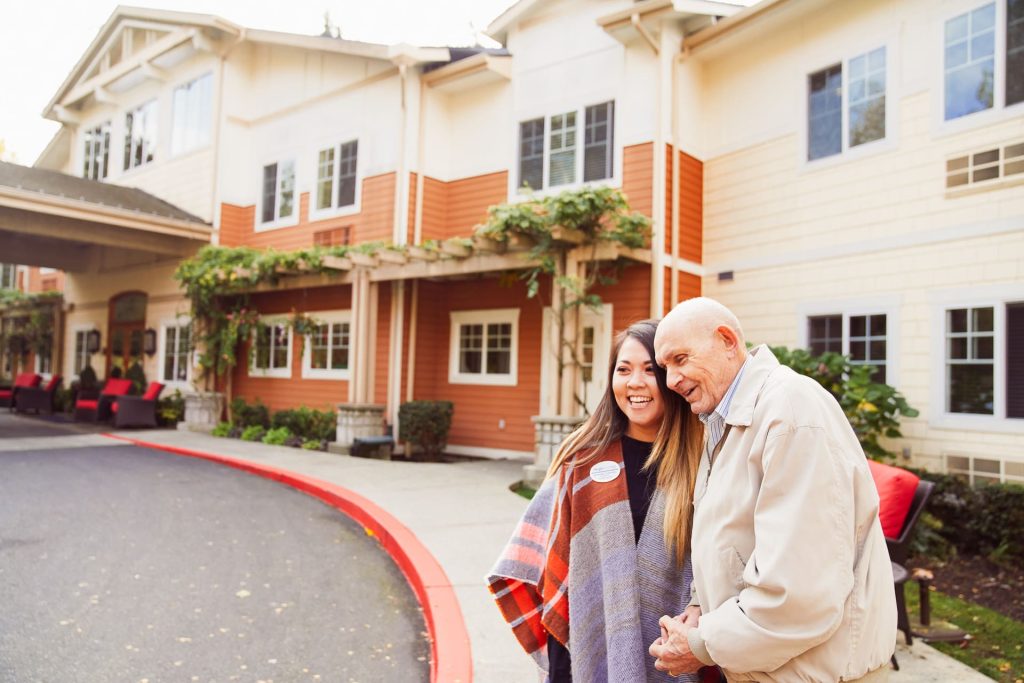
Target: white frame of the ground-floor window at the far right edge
996, 297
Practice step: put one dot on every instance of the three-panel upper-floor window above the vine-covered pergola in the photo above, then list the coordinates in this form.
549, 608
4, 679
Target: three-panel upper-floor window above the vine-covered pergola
549, 148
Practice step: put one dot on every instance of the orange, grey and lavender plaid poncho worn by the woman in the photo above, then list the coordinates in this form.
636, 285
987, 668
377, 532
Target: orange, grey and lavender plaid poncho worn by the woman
577, 541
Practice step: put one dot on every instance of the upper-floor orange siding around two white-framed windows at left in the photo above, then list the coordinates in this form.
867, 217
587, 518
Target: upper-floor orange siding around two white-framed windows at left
374, 223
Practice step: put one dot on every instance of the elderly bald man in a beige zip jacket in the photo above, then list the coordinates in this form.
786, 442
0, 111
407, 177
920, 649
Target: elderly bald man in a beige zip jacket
792, 577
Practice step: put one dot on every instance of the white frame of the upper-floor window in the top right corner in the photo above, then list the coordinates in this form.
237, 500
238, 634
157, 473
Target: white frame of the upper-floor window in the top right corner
1000, 111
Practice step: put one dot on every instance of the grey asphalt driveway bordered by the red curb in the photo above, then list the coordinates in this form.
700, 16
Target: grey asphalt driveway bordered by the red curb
120, 564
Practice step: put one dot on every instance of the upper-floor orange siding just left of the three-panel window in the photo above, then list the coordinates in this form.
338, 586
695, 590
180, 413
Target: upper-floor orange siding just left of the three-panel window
455, 208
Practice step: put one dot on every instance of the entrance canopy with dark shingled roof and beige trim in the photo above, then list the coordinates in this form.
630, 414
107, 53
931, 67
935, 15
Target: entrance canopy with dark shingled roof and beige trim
57, 221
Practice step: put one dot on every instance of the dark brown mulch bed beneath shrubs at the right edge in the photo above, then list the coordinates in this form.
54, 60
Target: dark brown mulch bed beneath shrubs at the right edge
999, 586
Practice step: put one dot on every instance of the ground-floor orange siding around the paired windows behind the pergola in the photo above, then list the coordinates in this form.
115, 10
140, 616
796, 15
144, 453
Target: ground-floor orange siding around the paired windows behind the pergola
280, 394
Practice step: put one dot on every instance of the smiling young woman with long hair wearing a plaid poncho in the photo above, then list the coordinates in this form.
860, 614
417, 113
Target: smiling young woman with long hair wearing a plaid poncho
601, 553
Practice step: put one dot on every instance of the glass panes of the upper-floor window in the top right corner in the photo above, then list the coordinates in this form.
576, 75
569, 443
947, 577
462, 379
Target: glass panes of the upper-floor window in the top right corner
972, 69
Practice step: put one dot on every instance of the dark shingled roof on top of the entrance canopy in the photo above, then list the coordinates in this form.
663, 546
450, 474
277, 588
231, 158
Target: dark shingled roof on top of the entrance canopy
54, 184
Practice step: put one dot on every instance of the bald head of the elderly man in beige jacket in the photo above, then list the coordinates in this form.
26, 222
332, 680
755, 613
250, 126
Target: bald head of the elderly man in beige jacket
701, 346
